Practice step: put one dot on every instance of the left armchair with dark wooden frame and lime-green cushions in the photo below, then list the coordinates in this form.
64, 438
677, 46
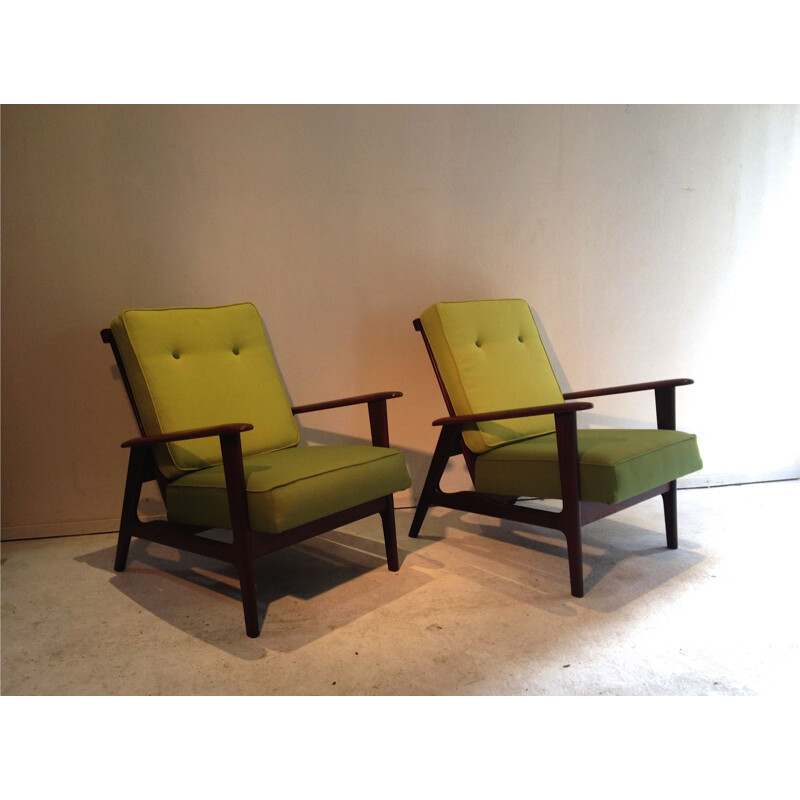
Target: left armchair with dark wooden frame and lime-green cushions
219, 436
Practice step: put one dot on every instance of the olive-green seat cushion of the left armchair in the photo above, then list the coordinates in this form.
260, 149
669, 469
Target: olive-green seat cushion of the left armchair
292, 487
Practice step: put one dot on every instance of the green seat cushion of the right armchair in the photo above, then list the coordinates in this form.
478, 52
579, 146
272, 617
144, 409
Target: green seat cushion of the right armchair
614, 464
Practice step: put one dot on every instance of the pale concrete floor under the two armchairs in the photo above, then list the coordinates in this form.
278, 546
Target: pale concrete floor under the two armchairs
478, 608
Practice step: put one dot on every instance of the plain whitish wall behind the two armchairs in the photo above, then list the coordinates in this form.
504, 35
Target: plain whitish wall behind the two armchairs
651, 242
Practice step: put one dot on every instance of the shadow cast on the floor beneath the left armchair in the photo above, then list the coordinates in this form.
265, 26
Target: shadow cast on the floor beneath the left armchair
304, 592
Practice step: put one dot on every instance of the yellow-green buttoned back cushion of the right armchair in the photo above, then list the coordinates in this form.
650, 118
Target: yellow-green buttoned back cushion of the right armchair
489, 356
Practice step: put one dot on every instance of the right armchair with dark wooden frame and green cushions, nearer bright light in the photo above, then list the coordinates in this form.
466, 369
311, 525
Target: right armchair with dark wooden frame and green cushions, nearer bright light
519, 436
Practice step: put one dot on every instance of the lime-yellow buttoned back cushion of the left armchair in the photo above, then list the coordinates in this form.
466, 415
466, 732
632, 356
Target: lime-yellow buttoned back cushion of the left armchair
197, 367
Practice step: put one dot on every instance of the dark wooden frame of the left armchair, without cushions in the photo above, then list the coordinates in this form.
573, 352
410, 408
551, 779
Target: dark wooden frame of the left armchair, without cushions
246, 545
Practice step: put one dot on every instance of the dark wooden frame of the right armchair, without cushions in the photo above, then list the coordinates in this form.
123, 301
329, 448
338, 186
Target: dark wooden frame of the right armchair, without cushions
574, 513
